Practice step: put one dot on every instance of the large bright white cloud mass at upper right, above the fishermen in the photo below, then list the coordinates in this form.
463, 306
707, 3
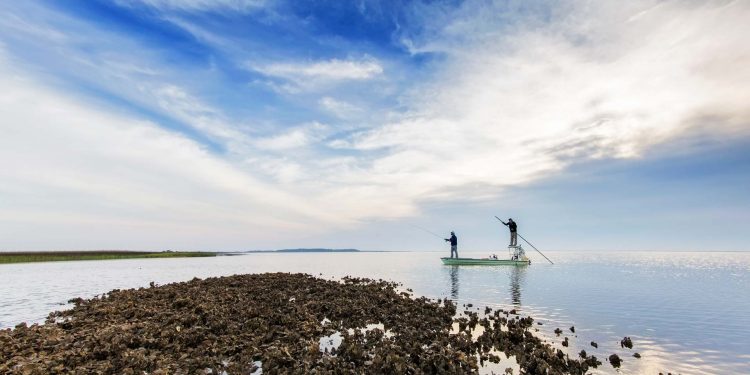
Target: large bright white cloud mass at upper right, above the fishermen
602, 81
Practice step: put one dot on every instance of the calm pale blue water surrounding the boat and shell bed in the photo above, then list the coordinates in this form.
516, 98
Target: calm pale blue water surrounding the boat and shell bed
686, 312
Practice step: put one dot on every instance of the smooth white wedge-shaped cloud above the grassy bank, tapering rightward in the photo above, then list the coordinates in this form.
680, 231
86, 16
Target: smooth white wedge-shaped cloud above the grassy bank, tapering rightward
90, 179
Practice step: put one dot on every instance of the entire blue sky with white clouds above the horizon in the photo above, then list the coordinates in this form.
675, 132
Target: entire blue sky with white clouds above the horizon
264, 124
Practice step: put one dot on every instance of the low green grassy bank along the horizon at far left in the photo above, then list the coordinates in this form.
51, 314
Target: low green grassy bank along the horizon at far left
56, 256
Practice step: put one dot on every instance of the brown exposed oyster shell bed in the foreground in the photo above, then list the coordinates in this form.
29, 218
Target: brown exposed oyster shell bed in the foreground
275, 320
